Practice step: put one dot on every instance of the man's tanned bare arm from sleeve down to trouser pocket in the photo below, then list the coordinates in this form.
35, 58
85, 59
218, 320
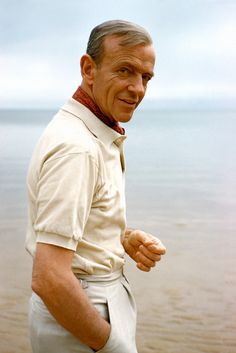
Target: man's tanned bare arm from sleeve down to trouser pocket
54, 281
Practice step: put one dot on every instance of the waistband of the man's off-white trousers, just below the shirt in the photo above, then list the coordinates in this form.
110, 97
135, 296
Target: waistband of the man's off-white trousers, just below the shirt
106, 279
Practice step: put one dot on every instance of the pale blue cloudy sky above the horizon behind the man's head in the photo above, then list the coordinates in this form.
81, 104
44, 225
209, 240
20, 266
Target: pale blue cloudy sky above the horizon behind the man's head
41, 42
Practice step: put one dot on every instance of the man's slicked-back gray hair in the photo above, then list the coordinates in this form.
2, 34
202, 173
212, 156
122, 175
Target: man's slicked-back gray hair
131, 34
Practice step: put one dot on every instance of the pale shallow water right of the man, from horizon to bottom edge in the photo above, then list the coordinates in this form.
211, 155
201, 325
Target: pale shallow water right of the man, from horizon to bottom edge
182, 186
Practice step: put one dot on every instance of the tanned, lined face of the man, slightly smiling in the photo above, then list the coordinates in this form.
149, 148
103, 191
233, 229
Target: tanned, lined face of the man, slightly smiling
120, 80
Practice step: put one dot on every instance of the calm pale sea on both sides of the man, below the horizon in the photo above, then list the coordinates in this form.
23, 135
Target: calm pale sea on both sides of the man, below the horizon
180, 187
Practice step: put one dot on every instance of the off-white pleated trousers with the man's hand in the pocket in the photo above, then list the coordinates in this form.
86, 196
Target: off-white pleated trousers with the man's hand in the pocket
112, 297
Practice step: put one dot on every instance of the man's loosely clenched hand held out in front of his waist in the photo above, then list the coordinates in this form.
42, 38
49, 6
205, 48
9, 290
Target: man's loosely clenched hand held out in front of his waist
143, 248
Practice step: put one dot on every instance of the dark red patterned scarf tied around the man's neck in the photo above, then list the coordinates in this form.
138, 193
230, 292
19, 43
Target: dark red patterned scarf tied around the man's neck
81, 96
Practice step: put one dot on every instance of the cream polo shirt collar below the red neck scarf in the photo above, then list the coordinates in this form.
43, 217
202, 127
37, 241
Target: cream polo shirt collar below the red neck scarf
103, 132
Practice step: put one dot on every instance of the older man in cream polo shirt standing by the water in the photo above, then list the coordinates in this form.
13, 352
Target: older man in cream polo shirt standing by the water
77, 232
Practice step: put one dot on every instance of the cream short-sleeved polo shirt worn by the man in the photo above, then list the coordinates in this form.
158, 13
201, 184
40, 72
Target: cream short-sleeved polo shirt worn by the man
76, 190
